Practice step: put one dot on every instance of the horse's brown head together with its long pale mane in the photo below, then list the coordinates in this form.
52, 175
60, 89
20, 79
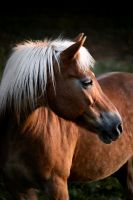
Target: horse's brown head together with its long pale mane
58, 74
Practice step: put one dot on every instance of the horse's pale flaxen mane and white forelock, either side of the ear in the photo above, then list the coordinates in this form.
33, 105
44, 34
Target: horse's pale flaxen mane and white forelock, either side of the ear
29, 66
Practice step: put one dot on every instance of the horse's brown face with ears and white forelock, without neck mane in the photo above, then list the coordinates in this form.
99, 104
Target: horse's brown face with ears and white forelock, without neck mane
78, 95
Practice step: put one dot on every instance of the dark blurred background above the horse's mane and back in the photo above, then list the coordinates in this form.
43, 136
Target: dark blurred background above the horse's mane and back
107, 24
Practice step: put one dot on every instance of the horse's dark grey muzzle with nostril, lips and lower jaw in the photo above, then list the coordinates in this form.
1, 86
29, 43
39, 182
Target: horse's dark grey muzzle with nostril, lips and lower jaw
108, 130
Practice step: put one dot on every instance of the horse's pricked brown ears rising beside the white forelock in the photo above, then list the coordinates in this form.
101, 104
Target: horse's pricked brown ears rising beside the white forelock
72, 51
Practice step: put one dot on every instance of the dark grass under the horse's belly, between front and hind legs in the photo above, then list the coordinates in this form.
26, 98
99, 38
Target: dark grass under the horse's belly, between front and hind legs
107, 189
